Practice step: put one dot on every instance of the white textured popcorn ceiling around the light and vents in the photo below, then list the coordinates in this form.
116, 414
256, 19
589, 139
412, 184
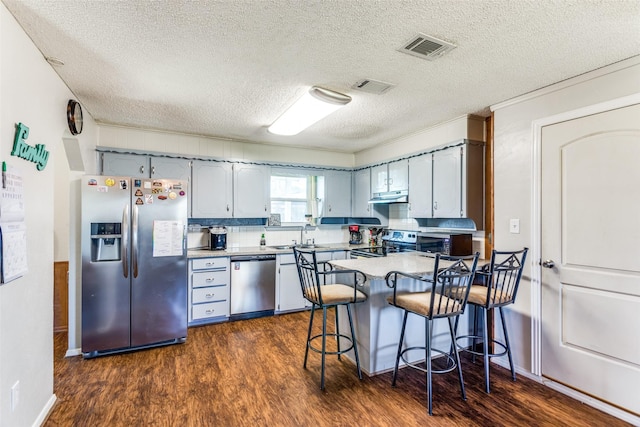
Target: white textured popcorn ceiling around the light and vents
229, 68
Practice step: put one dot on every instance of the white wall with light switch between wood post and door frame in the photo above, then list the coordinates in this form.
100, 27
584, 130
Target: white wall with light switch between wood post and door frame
513, 163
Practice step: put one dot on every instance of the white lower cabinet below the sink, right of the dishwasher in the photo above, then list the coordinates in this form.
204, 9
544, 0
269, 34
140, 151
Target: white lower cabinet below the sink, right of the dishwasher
288, 289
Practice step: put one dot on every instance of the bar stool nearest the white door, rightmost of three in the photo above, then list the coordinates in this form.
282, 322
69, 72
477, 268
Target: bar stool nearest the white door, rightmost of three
501, 279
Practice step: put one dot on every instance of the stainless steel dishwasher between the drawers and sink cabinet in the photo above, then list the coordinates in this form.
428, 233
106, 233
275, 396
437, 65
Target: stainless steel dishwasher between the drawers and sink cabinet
253, 285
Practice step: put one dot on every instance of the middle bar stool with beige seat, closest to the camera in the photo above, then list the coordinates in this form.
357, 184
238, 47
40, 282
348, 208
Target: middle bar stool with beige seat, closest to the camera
444, 296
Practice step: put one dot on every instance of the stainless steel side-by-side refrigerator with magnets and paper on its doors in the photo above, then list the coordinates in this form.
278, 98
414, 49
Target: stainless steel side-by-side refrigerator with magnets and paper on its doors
134, 263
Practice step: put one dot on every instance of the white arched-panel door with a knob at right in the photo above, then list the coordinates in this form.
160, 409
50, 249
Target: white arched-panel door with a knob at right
590, 199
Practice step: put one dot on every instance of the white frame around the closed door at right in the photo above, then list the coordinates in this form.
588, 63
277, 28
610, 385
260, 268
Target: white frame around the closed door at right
536, 249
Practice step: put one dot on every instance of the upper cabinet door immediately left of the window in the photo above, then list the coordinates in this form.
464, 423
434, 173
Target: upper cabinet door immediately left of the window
251, 191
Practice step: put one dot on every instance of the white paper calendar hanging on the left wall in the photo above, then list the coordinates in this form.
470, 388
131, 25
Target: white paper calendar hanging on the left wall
13, 231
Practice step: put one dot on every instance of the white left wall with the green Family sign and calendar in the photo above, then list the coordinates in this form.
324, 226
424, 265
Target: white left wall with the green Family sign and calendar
32, 93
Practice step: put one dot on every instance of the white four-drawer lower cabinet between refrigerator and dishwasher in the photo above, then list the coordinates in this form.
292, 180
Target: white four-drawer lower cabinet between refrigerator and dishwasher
209, 289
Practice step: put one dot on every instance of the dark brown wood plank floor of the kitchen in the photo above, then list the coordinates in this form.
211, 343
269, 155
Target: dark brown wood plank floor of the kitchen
249, 373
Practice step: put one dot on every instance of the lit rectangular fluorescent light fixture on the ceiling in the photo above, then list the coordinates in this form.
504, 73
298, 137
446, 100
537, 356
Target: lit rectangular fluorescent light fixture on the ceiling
314, 105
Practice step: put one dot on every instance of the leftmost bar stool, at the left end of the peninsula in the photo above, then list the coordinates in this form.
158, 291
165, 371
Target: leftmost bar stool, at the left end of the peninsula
322, 295
